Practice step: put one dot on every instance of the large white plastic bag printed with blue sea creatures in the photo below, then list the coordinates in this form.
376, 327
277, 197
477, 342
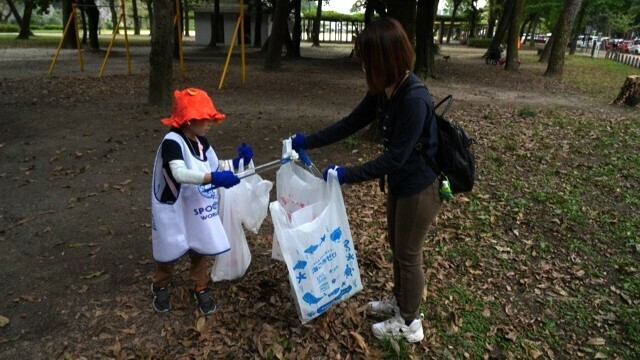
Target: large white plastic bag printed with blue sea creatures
317, 247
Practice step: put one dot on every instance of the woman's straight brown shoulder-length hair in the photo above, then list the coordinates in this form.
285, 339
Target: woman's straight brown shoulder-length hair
386, 53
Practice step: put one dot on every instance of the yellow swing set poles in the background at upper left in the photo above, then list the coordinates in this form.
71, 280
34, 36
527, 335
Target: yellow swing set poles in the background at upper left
177, 21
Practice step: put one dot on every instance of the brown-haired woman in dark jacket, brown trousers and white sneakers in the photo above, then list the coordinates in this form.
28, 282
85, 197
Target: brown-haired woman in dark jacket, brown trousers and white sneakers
404, 114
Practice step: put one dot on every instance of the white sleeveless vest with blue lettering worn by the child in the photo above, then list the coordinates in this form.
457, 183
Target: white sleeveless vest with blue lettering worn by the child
192, 221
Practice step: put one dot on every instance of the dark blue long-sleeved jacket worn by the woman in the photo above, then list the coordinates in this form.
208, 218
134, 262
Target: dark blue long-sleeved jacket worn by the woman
401, 120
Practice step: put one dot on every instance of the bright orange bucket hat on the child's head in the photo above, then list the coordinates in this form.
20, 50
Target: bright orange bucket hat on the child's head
192, 104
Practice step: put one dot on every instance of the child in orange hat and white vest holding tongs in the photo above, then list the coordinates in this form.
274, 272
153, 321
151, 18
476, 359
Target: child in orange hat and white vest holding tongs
184, 202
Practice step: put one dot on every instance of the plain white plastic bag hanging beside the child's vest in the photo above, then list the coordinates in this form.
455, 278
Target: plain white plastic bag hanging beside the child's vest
245, 203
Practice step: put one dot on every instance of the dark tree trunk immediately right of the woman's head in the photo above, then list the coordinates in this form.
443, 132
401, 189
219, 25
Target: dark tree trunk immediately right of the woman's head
425, 48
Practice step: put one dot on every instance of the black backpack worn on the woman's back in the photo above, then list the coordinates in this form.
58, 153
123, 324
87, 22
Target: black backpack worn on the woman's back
454, 158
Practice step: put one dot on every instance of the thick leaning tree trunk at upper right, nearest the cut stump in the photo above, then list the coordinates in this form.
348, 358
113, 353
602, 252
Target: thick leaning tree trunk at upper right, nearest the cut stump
556, 56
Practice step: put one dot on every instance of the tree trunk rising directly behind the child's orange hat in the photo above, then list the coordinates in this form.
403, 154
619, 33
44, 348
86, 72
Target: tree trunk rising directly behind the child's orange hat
160, 58
